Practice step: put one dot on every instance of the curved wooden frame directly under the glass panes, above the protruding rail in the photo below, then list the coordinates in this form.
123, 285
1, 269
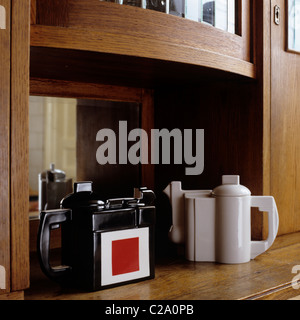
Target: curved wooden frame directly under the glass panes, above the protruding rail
142, 24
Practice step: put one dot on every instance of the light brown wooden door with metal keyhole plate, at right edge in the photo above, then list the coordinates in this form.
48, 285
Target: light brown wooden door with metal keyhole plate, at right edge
285, 127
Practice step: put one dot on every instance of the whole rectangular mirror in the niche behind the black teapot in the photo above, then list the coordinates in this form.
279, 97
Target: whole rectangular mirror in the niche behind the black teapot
63, 132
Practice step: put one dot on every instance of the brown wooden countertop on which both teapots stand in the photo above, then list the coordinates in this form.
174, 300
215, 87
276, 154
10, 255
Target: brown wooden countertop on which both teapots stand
269, 276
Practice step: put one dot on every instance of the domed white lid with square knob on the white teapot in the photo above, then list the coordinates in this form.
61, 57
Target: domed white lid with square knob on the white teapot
231, 187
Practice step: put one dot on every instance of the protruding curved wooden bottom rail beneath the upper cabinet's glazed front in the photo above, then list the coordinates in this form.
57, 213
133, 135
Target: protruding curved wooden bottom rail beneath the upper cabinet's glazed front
97, 41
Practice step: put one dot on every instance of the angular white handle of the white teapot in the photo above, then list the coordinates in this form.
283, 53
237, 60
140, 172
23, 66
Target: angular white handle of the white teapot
265, 204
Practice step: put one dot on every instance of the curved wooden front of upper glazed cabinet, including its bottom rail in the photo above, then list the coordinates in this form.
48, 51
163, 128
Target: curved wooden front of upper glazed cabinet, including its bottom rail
130, 31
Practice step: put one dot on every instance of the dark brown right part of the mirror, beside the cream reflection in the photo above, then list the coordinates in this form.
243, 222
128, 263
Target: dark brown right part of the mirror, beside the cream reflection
109, 180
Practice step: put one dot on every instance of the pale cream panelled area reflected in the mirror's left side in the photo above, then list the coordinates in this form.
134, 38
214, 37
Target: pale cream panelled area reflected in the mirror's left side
52, 140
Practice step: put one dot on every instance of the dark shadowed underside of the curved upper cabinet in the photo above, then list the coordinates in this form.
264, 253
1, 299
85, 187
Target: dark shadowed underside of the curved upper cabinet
112, 69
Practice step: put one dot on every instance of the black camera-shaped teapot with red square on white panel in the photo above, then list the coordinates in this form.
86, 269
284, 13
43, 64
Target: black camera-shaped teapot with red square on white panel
104, 244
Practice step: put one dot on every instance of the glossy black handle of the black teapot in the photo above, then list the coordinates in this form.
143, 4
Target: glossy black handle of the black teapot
50, 219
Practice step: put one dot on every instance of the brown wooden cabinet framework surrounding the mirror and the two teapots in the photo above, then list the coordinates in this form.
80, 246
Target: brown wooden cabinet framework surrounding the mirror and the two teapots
180, 73
